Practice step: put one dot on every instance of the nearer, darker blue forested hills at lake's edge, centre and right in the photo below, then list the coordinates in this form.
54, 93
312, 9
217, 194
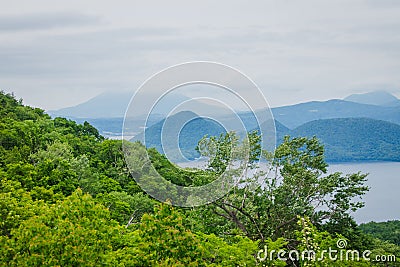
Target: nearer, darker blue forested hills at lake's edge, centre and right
345, 139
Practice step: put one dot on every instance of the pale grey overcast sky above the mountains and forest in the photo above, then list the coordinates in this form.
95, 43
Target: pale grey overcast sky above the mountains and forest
56, 54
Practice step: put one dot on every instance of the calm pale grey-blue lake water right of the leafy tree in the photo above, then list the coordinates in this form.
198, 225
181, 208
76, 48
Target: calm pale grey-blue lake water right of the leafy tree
382, 202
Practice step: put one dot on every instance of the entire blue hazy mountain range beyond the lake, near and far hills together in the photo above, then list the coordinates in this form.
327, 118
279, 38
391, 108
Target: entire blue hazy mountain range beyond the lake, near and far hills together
359, 127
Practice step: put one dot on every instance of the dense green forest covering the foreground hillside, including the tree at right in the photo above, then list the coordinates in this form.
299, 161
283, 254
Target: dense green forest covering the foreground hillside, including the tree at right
68, 198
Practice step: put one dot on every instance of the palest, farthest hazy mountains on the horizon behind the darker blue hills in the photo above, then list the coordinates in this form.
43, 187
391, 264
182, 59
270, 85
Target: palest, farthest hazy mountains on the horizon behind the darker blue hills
376, 105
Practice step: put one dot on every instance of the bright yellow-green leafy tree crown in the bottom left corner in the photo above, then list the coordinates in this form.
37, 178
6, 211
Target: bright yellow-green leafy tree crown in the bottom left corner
73, 232
